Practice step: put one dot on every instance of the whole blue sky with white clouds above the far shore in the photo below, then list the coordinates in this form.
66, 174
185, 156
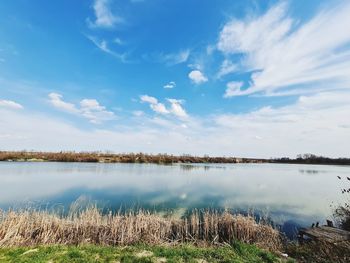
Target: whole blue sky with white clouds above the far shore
241, 78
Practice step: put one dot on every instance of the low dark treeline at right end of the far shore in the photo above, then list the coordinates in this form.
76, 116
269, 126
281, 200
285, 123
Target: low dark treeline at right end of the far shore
313, 159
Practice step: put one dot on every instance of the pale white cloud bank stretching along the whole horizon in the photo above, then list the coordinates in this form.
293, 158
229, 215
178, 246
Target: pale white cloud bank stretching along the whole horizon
315, 123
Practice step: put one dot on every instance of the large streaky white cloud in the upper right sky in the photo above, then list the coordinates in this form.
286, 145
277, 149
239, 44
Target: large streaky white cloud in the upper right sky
285, 54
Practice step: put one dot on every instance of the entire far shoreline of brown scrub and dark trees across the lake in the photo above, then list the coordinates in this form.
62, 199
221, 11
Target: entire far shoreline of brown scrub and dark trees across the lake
100, 157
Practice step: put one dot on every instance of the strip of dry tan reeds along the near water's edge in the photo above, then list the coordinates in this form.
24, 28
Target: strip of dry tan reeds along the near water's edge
31, 228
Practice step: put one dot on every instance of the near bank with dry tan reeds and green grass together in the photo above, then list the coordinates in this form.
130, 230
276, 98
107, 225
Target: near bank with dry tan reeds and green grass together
90, 236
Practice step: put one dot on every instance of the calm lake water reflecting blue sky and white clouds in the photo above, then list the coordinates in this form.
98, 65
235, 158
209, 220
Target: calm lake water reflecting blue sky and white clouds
289, 194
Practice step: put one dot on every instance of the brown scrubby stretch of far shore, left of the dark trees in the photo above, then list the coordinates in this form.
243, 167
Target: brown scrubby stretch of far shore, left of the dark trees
117, 158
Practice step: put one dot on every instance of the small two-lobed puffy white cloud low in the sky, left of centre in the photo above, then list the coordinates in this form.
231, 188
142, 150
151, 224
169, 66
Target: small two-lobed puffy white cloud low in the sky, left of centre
89, 108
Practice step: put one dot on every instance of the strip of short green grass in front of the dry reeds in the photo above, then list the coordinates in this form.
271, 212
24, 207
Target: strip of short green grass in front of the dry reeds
238, 252
